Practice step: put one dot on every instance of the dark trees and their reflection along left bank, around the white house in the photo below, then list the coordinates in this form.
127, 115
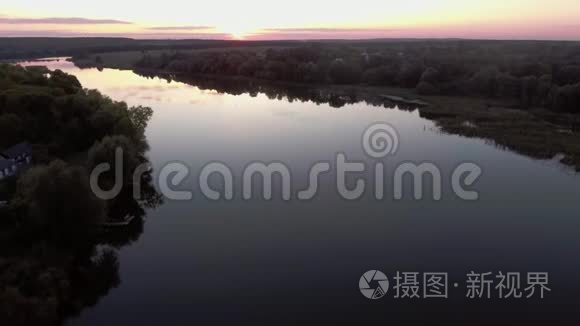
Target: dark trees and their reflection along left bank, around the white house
55, 257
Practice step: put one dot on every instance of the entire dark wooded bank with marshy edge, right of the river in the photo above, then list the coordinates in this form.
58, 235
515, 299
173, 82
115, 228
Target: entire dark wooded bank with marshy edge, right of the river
520, 95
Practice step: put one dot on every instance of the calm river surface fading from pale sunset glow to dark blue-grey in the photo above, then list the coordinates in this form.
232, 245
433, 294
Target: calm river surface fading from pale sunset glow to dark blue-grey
202, 261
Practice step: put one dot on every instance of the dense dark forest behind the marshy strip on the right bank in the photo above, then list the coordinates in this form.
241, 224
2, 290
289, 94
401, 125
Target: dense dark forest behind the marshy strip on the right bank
528, 73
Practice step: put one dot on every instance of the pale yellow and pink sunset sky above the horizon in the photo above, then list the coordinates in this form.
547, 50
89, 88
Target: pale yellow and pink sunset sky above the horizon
298, 19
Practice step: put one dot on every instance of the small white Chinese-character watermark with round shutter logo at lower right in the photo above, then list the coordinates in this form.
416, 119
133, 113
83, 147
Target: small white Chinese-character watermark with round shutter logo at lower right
374, 285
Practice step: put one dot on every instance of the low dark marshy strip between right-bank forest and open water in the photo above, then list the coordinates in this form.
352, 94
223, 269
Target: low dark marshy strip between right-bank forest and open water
537, 133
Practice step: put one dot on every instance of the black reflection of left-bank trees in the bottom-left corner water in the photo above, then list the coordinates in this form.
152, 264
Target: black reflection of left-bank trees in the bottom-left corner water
47, 281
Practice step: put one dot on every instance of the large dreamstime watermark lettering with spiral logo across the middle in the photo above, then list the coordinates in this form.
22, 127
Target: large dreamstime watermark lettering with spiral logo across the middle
379, 142
